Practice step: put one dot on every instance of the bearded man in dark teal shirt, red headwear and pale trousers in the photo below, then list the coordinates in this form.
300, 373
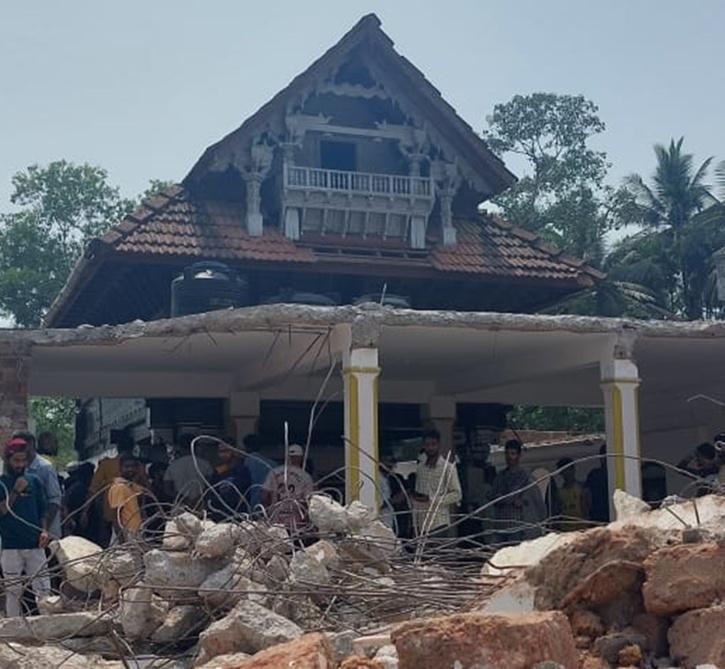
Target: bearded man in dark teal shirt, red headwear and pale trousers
23, 528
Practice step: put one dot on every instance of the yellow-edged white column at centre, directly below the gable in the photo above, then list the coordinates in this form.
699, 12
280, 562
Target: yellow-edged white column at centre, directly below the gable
361, 372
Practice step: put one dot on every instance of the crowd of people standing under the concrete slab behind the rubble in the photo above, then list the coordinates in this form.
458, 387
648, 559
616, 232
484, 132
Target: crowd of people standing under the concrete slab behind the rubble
122, 499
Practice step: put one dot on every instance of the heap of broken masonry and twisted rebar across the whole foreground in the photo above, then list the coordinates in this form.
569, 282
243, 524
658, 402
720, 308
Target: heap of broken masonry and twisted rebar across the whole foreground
642, 592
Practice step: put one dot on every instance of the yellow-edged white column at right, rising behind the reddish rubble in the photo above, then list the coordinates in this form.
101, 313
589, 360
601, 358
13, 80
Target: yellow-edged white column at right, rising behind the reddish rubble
620, 385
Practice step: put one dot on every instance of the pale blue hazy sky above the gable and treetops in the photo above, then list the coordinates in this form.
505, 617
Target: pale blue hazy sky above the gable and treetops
141, 88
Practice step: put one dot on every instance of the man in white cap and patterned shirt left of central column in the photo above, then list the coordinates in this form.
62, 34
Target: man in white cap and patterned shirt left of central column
286, 492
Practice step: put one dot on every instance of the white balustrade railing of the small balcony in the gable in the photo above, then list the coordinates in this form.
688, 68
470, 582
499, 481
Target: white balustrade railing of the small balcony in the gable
313, 178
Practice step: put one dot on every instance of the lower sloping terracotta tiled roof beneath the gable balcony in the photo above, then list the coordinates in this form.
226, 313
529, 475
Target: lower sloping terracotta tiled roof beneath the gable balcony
173, 224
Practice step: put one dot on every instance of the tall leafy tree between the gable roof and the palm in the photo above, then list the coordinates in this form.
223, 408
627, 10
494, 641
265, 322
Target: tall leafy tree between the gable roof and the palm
563, 197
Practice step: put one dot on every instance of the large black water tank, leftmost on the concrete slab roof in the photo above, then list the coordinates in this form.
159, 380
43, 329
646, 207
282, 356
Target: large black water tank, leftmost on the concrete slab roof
207, 286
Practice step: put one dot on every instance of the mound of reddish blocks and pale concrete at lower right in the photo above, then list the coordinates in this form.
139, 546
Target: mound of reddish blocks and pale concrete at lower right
646, 591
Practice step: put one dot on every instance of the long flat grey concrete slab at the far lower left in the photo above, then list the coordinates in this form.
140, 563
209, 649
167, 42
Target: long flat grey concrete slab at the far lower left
54, 626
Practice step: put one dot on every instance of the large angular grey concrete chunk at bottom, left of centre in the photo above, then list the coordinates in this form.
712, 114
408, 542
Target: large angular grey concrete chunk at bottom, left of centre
249, 628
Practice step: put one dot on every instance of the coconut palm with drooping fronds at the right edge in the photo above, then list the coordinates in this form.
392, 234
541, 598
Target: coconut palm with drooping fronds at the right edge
667, 208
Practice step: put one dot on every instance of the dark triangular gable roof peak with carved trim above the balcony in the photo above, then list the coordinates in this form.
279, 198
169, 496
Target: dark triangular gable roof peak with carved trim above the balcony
391, 77
